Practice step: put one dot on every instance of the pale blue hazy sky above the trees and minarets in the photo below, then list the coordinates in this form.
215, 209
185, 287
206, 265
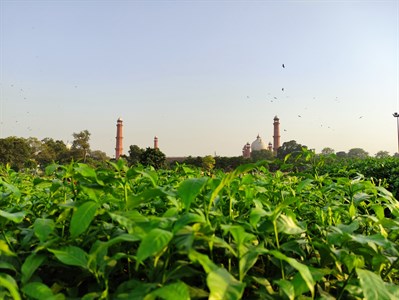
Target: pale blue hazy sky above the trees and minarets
205, 77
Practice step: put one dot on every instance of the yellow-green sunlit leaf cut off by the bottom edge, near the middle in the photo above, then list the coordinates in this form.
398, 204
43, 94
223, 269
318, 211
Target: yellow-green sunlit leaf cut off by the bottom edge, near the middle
222, 285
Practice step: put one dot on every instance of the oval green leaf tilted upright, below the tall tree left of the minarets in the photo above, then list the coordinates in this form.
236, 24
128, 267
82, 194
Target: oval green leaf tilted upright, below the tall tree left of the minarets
82, 218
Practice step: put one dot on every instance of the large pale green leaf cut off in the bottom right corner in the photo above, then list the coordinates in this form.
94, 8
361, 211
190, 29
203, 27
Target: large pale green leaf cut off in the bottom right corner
373, 286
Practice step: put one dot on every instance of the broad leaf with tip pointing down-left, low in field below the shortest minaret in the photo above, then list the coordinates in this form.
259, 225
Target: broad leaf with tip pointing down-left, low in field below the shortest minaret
156, 240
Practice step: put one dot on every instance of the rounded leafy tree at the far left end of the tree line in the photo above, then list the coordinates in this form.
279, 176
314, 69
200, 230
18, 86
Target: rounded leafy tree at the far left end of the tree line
14, 151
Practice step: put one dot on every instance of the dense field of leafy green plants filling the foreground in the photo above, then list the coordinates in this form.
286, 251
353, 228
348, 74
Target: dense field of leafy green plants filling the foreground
77, 232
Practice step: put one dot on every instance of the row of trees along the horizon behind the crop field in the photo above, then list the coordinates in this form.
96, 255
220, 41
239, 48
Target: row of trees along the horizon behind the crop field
34, 153
